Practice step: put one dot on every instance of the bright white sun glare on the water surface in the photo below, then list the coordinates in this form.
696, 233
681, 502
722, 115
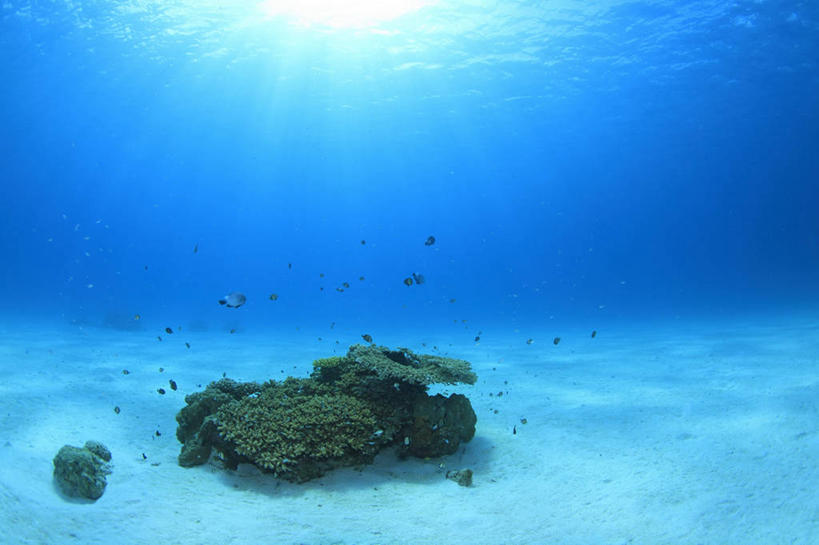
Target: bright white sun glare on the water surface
341, 13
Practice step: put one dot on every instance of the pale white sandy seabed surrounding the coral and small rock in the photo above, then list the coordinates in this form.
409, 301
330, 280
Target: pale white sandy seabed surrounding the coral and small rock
710, 435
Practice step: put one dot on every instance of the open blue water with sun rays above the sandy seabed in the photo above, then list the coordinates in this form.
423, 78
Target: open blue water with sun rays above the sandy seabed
580, 163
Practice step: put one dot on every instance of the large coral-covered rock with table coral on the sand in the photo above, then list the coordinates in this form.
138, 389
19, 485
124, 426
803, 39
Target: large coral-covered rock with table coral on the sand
348, 410
